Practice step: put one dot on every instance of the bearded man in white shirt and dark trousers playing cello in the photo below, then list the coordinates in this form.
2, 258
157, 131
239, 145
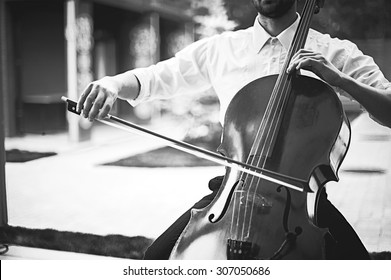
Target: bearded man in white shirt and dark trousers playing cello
226, 63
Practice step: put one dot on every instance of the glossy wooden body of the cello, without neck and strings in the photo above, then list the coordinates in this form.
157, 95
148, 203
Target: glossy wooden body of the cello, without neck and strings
251, 218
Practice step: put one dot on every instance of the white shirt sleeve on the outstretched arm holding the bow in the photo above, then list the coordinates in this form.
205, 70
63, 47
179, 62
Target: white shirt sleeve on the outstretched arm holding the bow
185, 73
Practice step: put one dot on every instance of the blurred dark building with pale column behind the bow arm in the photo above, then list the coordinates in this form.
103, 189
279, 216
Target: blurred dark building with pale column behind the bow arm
55, 48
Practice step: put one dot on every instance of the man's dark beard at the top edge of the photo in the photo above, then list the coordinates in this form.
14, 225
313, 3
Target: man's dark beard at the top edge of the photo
273, 9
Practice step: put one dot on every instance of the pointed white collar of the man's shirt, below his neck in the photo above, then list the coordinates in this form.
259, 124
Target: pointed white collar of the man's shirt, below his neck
261, 36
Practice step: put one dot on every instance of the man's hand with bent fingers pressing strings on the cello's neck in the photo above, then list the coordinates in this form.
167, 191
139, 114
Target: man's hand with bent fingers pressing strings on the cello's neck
318, 64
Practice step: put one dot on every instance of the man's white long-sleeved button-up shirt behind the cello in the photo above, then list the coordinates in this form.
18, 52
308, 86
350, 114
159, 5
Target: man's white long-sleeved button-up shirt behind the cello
225, 63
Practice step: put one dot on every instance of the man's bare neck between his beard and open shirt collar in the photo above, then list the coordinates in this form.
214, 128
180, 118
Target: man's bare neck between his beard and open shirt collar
275, 26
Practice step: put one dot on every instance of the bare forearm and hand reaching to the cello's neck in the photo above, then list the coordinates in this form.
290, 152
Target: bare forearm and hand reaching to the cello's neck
376, 101
